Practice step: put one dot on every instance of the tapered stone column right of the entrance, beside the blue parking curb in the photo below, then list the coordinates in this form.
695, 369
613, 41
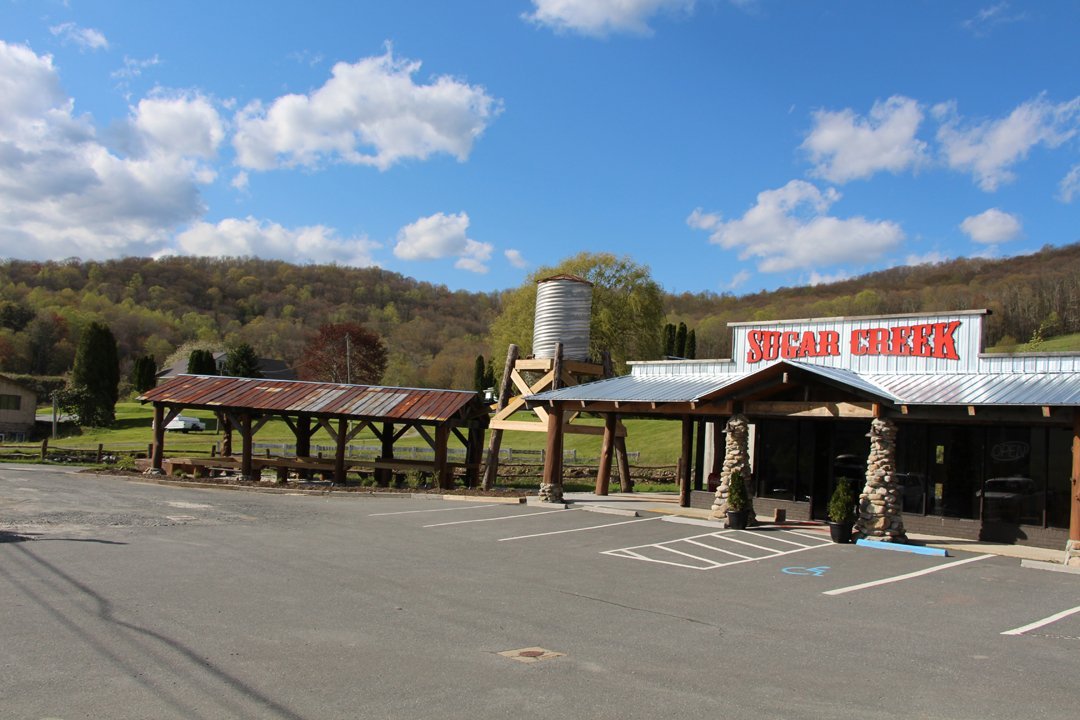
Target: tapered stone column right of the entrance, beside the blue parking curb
881, 515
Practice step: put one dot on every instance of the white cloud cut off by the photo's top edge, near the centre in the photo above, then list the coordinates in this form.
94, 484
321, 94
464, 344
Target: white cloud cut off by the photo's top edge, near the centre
603, 18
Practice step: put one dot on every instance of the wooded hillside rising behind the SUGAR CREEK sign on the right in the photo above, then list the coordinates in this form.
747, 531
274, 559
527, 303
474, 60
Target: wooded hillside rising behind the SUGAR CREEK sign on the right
1025, 294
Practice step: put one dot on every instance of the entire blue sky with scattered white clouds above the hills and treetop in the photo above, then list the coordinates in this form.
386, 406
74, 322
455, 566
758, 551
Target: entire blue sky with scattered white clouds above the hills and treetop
732, 146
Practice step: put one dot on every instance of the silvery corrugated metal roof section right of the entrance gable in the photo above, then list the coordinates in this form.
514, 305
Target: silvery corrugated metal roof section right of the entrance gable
1051, 389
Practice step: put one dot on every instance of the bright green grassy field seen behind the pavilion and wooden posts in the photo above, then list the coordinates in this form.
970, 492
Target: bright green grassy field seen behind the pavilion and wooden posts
657, 442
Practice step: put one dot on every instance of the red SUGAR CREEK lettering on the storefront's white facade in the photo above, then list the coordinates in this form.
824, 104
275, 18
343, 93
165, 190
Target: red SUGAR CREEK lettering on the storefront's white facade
917, 341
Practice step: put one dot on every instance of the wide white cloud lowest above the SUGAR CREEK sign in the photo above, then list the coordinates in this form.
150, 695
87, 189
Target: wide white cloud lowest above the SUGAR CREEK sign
789, 229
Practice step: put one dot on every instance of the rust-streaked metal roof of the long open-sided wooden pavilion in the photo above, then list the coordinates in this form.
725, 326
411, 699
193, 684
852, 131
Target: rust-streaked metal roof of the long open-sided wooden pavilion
318, 399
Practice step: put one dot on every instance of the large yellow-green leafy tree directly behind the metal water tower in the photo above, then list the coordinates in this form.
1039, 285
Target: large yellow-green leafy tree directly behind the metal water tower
628, 308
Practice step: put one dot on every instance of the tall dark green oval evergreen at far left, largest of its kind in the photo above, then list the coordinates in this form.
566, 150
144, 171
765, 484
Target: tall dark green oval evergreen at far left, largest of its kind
97, 376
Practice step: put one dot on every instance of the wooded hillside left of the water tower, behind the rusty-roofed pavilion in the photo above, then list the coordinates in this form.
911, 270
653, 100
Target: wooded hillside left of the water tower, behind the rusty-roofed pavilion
156, 307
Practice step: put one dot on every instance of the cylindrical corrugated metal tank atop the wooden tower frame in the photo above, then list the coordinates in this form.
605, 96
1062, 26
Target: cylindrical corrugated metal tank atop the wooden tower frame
563, 315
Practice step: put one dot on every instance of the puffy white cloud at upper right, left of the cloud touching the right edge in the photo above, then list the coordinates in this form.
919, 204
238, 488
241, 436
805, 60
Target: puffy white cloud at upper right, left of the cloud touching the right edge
844, 146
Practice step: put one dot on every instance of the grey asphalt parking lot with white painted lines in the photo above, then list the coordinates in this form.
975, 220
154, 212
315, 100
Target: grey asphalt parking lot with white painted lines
125, 600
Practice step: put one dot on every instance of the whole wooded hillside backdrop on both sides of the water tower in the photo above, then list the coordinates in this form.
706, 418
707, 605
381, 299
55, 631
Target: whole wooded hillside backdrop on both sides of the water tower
434, 335
